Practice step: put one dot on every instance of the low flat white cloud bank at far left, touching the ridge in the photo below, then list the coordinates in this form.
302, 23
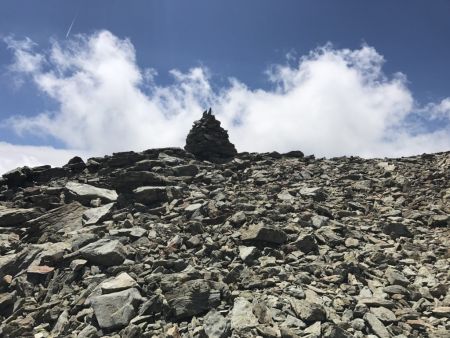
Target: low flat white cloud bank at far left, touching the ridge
13, 156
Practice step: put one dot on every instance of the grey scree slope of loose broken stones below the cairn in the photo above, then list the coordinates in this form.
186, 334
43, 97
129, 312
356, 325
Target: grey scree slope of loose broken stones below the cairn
165, 244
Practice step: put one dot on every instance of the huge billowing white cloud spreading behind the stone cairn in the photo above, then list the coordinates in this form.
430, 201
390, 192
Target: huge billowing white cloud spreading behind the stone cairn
330, 102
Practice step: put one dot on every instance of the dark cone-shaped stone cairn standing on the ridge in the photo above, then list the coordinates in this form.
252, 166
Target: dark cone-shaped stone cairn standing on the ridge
207, 140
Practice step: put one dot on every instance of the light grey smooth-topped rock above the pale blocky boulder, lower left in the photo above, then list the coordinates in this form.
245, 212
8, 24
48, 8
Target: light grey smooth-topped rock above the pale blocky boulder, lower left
104, 252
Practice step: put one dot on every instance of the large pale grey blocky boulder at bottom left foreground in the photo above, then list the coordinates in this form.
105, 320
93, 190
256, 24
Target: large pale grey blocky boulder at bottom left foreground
115, 310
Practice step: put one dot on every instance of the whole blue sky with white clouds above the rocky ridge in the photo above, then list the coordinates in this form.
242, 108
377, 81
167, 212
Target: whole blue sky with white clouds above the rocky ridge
330, 78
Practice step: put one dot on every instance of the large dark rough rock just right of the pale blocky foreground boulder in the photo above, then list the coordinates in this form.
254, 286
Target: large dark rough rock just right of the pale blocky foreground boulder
192, 298
